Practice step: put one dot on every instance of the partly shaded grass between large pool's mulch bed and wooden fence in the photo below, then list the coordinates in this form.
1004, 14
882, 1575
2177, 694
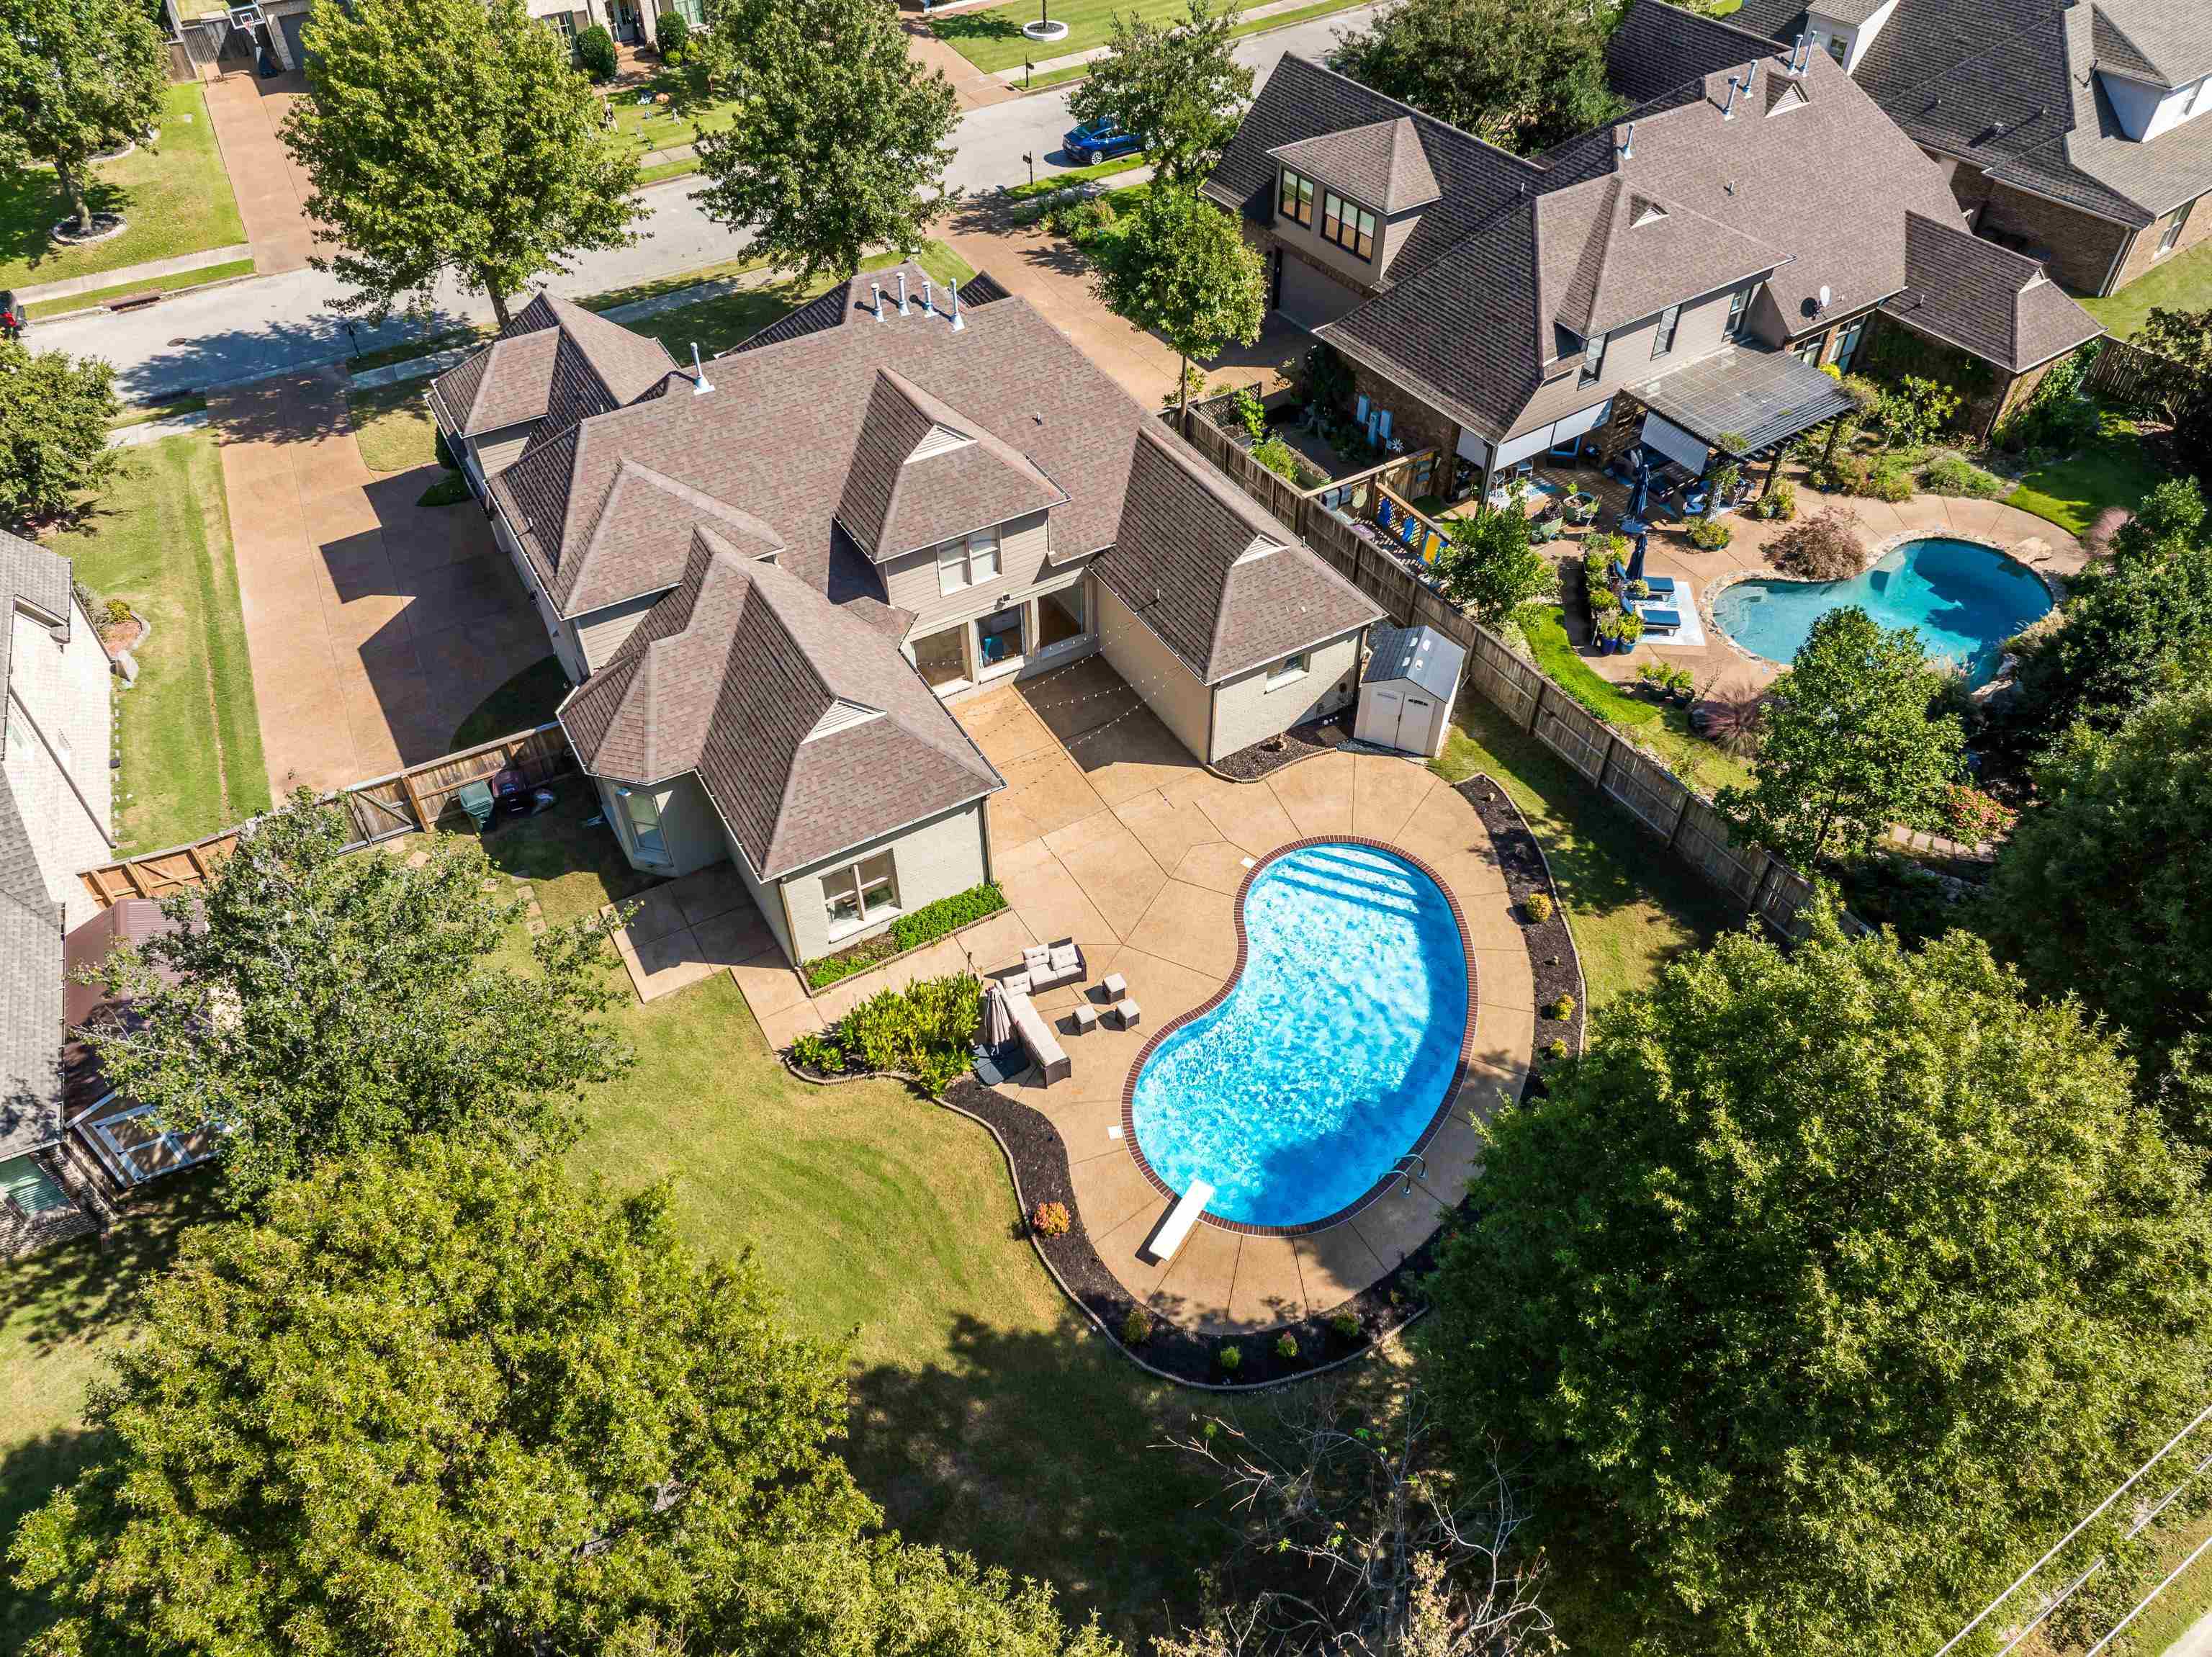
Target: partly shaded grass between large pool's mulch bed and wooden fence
1634, 904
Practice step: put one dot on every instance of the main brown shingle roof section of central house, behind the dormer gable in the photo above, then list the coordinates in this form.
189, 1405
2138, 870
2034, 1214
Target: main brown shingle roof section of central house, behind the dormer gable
780, 435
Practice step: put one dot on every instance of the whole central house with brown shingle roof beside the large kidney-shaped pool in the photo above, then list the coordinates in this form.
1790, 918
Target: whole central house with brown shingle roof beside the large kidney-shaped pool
773, 572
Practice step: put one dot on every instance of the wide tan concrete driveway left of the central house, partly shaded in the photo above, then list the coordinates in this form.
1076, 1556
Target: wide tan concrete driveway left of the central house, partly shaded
375, 625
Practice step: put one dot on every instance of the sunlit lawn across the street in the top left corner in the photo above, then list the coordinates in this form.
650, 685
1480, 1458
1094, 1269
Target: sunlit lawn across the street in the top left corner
174, 202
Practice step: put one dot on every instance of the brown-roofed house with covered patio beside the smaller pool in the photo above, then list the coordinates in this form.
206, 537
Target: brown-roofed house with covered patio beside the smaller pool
1678, 275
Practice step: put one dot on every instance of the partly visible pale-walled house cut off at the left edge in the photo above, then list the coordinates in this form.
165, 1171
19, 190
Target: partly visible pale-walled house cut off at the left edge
54, 822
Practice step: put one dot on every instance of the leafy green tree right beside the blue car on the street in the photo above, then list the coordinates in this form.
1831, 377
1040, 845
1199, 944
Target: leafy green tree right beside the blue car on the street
1178, 85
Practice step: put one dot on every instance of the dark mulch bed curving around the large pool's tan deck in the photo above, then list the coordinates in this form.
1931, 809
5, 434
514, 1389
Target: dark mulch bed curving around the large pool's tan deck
1041, 1174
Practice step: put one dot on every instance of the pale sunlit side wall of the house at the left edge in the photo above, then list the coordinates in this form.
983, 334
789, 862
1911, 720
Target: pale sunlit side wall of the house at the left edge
63, 694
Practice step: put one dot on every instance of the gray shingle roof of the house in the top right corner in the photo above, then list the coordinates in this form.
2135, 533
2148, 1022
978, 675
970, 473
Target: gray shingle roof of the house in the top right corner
2010, 87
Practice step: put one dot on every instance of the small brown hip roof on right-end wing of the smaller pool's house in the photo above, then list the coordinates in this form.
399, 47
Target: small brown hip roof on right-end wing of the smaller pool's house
1987, 300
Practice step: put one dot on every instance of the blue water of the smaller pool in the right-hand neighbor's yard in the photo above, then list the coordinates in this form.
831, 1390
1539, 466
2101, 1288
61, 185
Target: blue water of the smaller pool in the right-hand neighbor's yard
1965, 603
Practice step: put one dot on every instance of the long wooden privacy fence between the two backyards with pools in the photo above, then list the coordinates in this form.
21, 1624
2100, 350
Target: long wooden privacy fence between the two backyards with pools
1676, 813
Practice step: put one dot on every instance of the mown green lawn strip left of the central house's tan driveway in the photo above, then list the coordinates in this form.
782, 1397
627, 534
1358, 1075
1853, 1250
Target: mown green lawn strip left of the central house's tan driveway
191, 738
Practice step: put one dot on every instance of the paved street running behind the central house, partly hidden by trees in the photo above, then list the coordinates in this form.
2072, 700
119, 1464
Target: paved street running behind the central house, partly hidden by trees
273, 324
